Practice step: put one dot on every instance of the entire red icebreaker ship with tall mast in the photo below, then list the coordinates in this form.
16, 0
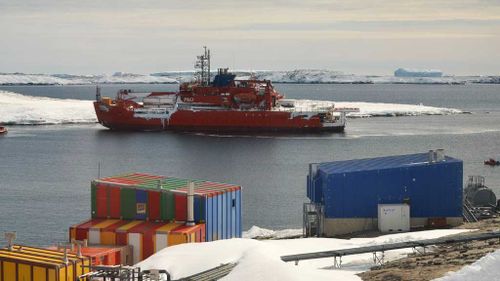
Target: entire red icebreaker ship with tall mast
224, 104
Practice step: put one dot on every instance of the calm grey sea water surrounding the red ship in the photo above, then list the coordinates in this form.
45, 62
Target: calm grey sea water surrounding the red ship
45, 171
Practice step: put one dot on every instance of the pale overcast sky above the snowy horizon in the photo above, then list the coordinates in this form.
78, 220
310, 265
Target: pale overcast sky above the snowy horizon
355, 36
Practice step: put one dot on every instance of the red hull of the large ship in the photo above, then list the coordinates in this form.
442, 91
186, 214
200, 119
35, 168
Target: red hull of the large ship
119, 118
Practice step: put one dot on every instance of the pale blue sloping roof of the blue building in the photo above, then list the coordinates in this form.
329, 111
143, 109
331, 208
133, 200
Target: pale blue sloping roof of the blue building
379, 163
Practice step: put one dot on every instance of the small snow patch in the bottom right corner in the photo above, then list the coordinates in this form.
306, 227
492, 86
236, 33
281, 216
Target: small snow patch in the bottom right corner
485, 269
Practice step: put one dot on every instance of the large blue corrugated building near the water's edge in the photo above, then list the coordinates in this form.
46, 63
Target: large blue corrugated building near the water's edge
347, 193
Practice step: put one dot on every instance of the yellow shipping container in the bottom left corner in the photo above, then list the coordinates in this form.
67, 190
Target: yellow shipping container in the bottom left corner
24, 263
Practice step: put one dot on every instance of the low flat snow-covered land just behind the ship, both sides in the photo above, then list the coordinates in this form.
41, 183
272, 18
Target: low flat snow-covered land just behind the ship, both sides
20, 109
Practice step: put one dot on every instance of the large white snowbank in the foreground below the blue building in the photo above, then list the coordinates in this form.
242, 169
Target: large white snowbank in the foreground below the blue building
260, 259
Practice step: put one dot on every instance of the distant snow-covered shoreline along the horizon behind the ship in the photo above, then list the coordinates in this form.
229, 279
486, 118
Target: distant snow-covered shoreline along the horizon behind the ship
307, 76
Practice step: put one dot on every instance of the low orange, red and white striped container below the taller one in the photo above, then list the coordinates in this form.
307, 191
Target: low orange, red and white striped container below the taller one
145, 237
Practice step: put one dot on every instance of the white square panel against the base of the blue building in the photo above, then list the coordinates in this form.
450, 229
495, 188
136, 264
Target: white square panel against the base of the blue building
393, 217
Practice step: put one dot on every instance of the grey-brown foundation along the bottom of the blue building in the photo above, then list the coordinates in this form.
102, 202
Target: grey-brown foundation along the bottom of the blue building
341, 226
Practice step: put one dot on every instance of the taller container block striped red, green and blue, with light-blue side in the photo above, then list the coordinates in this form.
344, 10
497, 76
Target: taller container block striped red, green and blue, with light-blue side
147, 197
